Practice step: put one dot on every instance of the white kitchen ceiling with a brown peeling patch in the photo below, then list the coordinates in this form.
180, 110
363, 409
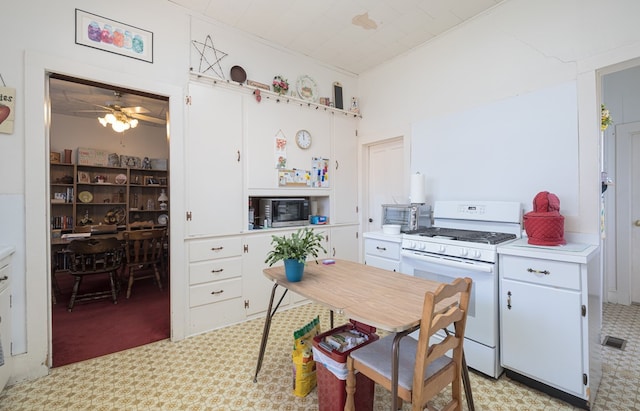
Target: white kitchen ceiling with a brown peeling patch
353, 35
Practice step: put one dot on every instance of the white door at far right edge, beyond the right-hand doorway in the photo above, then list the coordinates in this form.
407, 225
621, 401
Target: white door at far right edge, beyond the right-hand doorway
628, 212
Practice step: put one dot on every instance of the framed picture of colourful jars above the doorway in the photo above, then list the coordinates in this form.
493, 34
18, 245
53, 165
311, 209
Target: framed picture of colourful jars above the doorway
113, 36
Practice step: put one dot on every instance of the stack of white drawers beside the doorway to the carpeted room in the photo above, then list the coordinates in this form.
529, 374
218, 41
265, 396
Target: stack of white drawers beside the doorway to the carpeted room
215, 283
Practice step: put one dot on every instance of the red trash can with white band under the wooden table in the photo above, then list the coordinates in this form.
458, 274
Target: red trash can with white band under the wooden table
330, 354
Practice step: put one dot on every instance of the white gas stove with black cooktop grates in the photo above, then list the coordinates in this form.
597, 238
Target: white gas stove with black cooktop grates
463, 242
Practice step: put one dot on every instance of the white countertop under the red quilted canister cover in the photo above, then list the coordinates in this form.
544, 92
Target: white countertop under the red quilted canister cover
571, 252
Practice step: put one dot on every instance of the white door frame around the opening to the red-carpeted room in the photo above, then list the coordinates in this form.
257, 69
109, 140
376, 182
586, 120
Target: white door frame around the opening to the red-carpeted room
37, 287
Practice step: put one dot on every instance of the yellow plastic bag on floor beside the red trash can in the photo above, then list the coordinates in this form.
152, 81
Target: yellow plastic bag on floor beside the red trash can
304, 367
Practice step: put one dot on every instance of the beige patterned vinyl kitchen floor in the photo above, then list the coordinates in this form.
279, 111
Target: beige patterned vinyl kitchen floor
214, 371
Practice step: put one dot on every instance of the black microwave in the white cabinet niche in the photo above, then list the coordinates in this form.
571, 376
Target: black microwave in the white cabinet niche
283, 212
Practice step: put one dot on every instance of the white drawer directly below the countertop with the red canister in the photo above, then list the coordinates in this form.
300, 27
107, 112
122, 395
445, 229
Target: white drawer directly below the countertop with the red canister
544, 272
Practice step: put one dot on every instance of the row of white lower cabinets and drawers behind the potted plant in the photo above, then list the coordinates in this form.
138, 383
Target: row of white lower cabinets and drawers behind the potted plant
226, 282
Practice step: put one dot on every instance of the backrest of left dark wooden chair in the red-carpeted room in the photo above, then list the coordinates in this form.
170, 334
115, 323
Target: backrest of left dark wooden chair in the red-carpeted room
91, 256
